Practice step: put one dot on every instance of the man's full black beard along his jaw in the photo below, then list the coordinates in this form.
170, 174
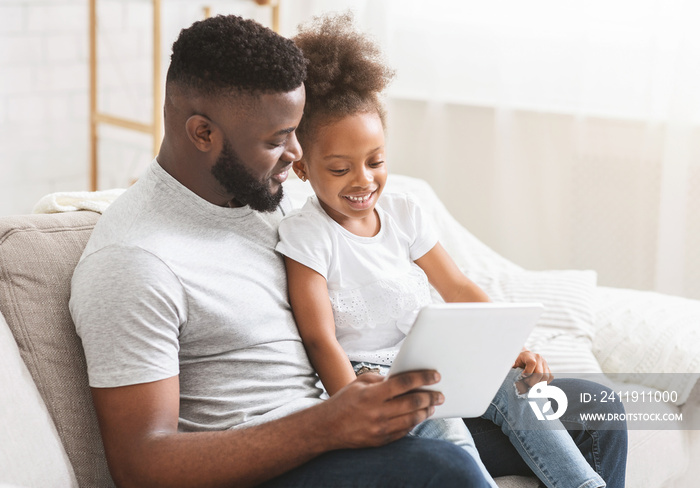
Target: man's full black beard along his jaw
230, 172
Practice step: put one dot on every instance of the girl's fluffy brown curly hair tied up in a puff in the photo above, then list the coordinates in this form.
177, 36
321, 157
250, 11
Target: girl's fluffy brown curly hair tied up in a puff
345, 74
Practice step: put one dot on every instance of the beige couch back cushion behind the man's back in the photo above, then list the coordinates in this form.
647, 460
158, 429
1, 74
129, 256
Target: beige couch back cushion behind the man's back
37, 256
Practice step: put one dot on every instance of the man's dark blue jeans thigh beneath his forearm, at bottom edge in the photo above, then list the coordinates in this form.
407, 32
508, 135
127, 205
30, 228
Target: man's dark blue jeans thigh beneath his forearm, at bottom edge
409, 462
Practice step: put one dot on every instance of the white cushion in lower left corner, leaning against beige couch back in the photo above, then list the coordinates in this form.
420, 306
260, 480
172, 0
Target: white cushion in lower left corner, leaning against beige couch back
26, 429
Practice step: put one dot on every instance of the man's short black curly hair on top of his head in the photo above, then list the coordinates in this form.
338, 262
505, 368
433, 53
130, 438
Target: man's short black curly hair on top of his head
227, 53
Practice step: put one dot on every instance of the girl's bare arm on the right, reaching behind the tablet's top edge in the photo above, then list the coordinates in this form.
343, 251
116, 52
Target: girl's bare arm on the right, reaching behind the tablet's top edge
447, 279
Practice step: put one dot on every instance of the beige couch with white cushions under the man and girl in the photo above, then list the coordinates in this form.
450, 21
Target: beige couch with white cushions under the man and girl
48, 430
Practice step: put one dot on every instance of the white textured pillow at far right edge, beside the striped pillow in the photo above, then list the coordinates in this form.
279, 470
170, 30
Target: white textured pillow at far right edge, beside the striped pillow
648, 338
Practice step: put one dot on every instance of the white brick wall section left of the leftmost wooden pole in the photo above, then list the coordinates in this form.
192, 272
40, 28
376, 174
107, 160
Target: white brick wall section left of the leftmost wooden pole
43, 103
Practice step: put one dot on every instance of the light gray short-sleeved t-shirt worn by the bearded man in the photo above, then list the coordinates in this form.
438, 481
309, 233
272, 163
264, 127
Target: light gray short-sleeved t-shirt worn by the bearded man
171, 284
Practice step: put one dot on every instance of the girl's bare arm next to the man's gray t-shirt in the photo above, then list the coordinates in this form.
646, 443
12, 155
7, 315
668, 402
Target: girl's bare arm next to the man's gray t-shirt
308, 295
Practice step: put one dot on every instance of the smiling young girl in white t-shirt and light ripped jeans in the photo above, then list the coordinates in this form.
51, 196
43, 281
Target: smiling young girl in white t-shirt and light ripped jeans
360, 266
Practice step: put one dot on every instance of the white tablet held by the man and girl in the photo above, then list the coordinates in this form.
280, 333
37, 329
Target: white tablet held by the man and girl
471, 345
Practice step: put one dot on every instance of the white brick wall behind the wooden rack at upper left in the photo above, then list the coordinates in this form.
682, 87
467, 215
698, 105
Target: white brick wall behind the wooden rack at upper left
44, 87
